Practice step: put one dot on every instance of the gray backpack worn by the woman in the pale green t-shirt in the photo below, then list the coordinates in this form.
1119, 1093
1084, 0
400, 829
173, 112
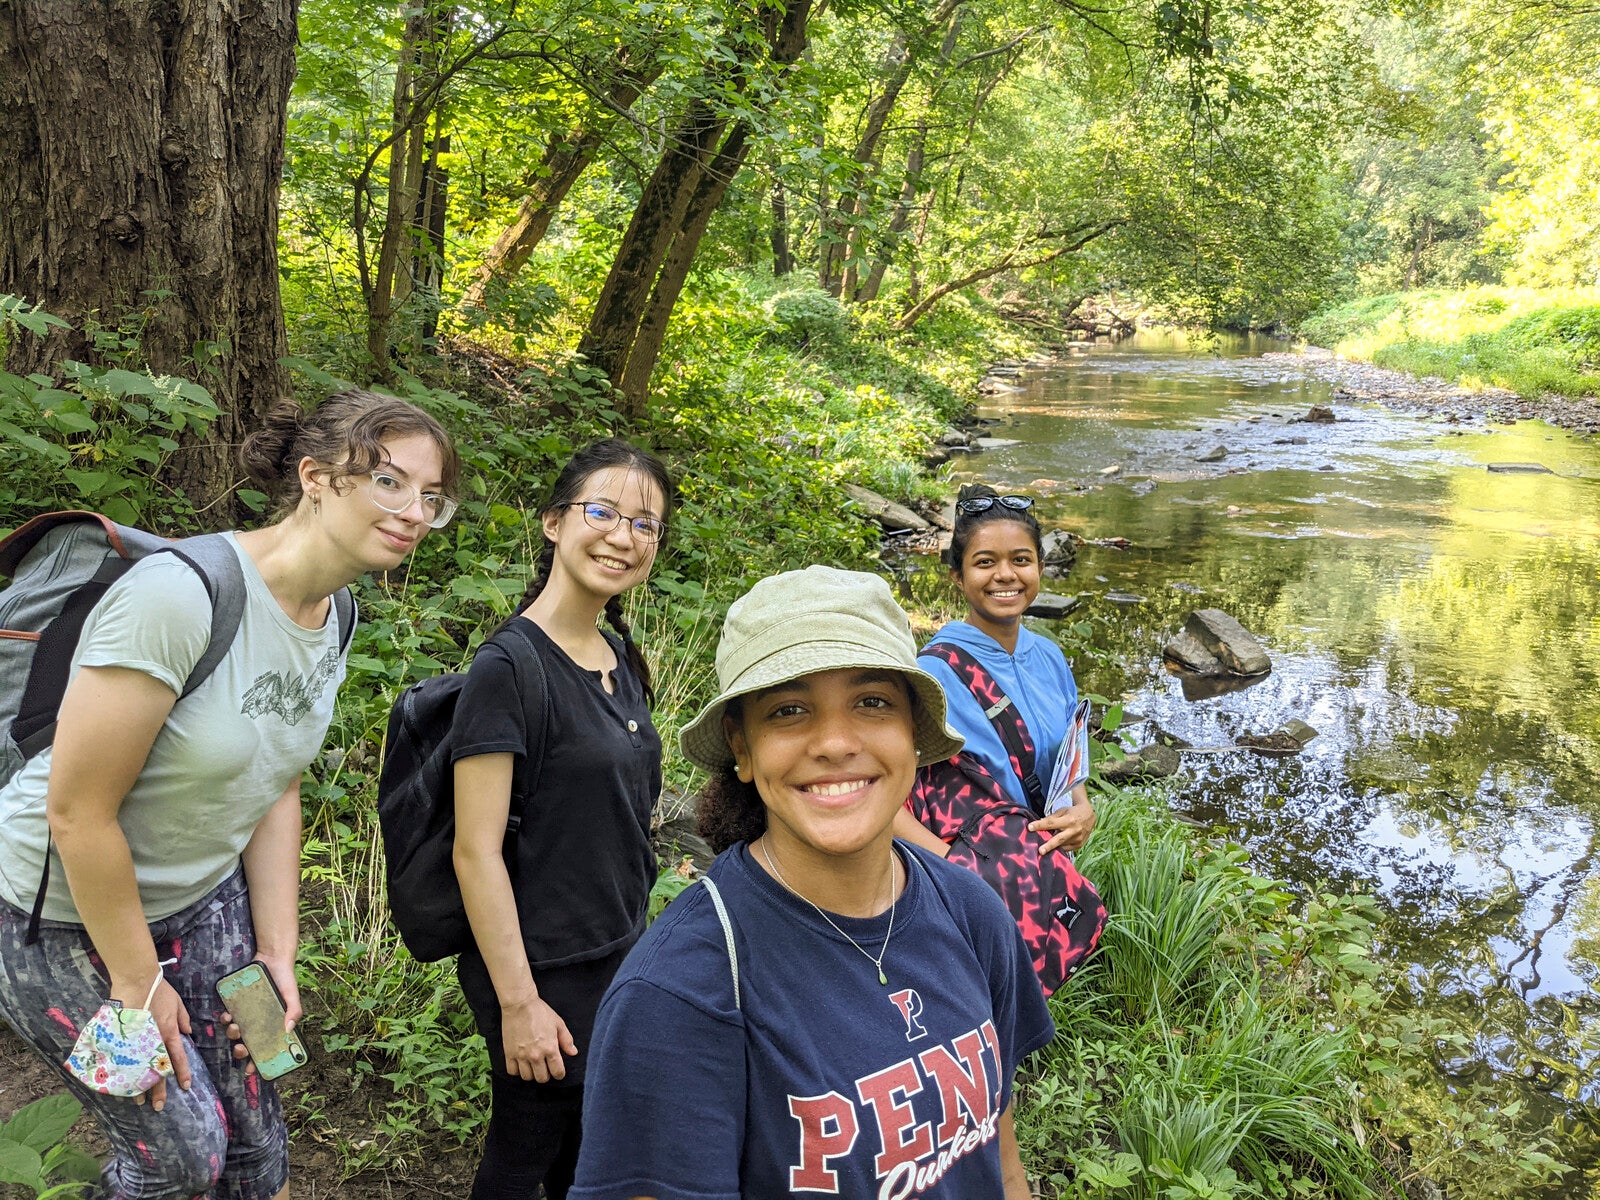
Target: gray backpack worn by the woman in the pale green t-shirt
60, 567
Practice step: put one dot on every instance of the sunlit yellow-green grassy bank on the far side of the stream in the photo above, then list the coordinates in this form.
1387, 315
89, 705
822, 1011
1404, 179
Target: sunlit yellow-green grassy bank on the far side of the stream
1529, 342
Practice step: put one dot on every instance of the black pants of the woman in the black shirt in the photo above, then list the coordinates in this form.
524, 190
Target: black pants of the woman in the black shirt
535, 1129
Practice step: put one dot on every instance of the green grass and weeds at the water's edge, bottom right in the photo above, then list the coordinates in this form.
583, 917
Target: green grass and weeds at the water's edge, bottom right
1234, 1041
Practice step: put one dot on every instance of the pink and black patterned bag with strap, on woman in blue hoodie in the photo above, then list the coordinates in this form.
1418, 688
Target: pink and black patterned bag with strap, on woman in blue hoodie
1057, 908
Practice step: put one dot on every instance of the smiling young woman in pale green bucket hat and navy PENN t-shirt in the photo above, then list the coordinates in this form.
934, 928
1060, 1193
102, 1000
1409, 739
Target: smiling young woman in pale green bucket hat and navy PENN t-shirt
836, 1012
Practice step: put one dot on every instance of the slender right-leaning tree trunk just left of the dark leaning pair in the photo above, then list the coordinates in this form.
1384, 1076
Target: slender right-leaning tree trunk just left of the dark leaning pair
566, 159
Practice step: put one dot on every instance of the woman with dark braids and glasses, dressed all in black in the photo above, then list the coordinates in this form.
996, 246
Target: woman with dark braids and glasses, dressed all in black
553, 929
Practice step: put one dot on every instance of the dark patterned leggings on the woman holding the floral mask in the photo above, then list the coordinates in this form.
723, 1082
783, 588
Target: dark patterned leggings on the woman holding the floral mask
226, 1135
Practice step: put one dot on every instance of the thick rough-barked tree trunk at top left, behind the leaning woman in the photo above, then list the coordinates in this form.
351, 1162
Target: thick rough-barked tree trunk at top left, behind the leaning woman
140, 186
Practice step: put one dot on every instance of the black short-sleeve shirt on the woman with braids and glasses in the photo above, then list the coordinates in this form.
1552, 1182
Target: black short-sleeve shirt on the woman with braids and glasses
585, 862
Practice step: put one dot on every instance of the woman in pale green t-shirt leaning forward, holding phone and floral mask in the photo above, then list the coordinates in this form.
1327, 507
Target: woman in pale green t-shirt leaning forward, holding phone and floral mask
167, 823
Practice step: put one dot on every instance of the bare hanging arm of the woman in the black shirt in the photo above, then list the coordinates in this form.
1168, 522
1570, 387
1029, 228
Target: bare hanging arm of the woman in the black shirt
535, 1036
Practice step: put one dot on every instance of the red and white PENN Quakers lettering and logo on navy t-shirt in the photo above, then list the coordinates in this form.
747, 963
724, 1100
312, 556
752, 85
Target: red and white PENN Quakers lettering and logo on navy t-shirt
959, 1084
